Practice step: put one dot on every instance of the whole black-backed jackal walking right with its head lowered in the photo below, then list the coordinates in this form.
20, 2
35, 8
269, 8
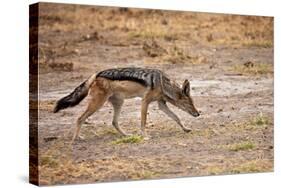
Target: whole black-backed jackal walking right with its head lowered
115, 85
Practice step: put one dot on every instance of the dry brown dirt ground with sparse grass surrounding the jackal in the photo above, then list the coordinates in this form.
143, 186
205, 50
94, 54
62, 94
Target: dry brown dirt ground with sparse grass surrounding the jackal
227, 58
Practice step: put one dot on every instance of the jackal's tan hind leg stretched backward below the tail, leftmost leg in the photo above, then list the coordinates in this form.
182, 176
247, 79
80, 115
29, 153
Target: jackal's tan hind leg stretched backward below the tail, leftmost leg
95, 102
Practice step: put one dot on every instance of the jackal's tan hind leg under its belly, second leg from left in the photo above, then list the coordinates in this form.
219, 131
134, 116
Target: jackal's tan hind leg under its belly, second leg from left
117, 105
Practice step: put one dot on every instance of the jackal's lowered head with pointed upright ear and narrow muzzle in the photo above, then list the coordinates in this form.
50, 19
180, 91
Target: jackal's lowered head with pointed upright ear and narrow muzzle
185, 101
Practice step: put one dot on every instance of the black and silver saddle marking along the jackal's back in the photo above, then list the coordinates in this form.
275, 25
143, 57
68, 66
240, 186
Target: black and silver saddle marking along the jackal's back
146, 77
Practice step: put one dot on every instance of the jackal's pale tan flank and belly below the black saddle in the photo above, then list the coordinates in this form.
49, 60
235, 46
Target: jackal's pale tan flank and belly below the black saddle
128, 89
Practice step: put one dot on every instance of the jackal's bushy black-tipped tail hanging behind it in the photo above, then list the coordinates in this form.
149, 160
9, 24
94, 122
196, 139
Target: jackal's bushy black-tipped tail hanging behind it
75, 97
